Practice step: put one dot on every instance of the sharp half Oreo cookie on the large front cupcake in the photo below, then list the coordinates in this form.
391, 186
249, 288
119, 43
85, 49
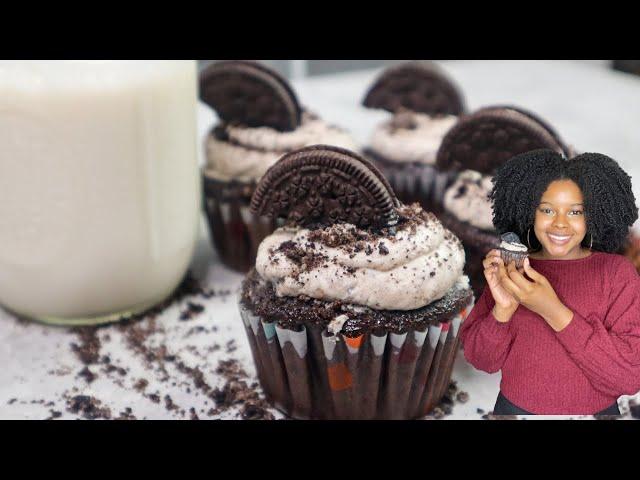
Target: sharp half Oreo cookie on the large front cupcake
322, 185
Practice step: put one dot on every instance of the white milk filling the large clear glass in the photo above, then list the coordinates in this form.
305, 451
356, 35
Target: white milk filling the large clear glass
99, 185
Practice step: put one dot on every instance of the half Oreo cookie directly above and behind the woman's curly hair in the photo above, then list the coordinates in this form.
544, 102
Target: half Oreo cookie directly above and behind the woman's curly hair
486, 139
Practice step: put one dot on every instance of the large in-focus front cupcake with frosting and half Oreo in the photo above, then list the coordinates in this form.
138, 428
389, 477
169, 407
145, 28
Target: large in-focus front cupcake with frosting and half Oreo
354, 306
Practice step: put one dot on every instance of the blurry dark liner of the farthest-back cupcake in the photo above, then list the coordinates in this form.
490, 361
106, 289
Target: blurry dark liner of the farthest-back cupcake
414, 182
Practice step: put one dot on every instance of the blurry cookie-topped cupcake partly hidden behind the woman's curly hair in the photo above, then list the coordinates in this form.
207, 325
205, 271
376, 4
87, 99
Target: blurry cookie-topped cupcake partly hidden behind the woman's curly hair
472, 151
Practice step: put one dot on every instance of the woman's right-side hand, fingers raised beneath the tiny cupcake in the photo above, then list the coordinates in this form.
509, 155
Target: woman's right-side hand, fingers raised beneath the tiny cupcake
536, 294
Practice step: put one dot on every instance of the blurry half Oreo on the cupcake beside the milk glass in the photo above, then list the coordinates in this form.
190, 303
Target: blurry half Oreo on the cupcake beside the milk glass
250, 94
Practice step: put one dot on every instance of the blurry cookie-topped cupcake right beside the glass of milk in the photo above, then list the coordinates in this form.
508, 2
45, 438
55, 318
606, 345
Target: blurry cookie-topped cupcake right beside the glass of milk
260, 119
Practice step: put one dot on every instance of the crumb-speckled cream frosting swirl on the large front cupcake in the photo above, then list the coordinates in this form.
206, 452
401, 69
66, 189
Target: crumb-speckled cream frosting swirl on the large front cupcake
410, 270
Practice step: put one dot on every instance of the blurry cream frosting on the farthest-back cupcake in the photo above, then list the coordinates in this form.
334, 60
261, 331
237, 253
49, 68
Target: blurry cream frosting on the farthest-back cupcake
411, 137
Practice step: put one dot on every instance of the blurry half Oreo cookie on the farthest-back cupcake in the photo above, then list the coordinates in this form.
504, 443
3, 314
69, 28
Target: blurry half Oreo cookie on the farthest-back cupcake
417, 86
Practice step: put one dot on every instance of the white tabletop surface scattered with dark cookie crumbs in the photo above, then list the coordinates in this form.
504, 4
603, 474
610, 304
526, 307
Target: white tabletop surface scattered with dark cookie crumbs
593, 109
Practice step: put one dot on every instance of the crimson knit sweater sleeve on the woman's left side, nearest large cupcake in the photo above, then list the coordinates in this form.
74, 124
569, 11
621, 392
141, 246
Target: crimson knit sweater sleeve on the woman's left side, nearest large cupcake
486, 341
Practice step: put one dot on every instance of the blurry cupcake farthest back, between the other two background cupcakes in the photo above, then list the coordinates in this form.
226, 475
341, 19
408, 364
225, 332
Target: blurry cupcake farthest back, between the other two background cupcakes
425, 104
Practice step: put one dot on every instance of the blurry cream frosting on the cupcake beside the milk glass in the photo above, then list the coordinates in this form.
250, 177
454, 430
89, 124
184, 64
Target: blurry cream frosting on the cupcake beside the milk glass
249, 152
